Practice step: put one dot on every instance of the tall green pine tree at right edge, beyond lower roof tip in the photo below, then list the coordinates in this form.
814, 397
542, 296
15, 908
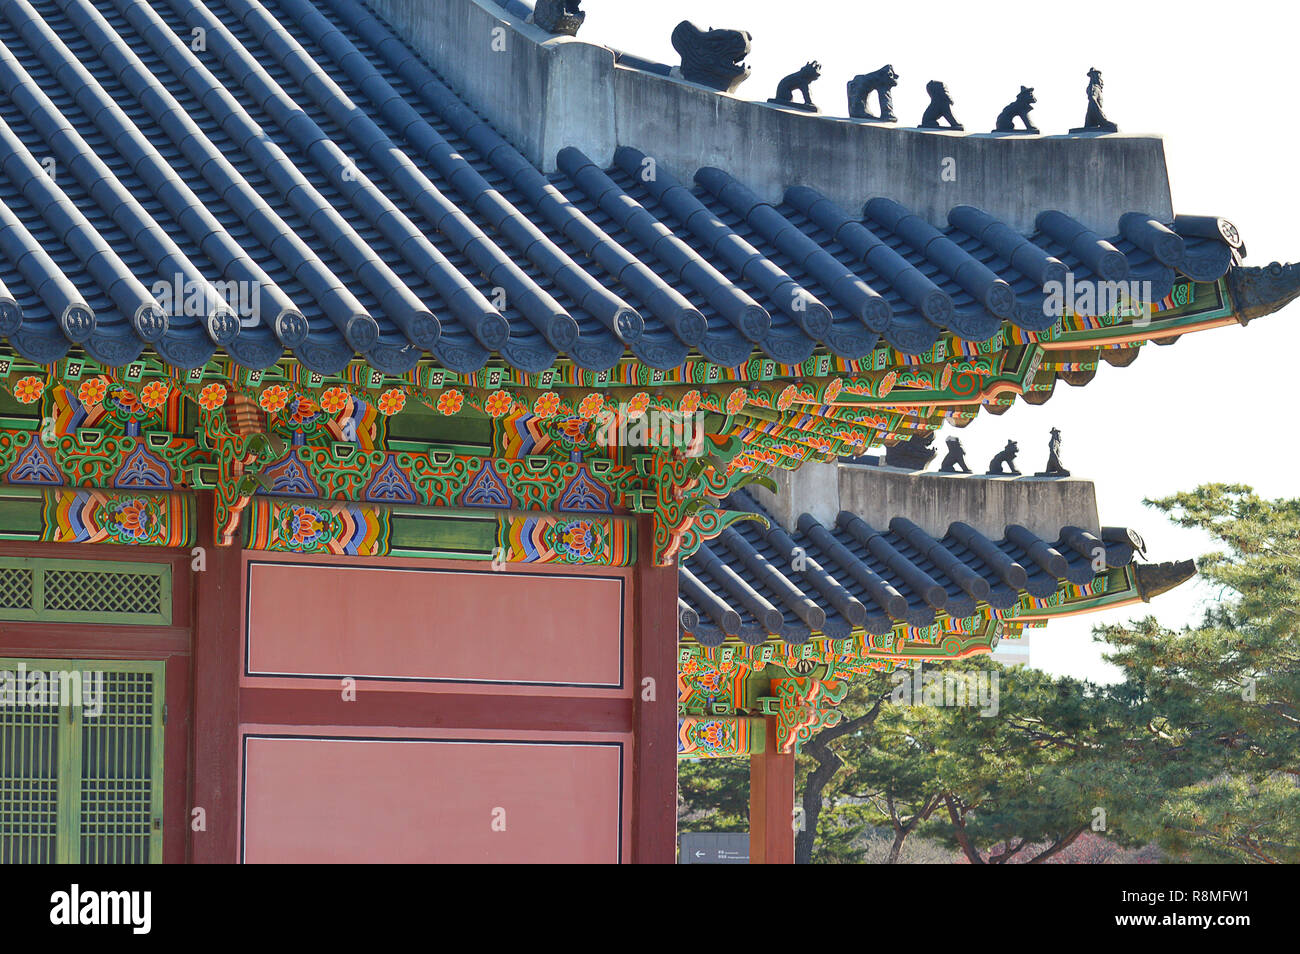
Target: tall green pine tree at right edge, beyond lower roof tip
1221, 703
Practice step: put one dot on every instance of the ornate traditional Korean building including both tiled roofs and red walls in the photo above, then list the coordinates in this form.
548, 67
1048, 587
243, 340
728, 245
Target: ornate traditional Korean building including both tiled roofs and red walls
400, 405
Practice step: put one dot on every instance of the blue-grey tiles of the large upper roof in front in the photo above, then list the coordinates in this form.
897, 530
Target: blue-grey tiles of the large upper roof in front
311, 158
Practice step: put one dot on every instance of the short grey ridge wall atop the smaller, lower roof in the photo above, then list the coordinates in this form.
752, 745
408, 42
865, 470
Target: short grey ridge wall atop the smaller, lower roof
933, 501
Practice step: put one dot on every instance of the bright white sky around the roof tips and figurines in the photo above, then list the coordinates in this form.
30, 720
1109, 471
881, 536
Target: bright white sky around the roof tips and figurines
1219, 83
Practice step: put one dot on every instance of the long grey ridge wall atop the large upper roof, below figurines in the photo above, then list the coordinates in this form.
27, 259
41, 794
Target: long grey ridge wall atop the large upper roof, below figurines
545, 93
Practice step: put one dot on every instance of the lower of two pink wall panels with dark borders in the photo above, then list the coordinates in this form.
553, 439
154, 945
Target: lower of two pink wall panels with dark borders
404, 801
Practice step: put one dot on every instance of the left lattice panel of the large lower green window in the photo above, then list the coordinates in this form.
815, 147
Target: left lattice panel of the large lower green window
29, 782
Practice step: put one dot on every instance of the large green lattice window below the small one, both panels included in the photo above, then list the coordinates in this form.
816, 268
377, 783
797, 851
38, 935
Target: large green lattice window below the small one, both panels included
81, 783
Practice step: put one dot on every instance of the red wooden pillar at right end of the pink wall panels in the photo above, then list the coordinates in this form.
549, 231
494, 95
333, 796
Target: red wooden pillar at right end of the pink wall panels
655, 814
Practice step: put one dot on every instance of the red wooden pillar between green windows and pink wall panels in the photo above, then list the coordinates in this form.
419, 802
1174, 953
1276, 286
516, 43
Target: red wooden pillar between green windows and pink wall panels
218, 654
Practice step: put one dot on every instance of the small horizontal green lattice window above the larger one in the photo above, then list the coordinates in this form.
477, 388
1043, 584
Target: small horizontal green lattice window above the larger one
85, 592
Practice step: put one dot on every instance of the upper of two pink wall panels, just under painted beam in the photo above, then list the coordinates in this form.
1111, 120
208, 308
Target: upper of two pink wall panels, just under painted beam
397, 623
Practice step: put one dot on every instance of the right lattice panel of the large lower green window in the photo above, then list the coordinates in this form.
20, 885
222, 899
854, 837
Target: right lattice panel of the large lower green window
118, 773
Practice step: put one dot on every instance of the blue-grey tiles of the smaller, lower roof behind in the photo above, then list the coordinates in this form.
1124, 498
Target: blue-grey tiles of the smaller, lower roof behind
755, 583
